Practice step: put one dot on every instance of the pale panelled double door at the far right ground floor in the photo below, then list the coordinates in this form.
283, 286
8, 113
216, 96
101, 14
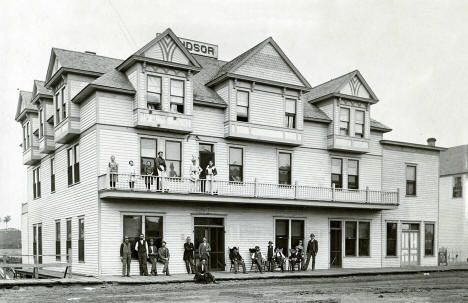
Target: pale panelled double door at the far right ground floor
410, 244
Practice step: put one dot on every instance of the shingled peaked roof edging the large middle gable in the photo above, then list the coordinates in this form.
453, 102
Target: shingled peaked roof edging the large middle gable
232, 65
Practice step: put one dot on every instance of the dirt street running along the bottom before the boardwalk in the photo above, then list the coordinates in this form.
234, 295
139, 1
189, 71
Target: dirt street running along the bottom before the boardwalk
436, 287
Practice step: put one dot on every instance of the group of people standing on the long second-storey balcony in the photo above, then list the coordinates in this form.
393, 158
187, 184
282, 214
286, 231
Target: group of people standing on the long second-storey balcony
159, 172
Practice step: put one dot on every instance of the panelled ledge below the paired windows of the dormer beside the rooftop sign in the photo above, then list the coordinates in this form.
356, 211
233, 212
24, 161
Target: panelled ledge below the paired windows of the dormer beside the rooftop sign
160, 120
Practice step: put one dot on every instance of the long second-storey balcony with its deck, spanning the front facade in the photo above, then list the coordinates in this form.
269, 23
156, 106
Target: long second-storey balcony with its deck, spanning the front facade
183, 189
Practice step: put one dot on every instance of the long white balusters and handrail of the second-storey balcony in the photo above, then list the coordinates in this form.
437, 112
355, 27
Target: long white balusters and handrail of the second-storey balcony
254, 189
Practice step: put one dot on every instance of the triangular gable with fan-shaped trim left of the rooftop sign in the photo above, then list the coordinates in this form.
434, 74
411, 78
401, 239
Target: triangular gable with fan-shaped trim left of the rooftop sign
167, 50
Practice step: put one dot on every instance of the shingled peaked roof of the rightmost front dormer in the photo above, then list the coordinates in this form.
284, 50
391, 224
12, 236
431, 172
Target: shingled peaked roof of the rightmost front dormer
333, 87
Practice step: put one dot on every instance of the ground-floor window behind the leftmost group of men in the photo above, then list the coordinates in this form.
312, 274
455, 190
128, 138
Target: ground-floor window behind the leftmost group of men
152, 229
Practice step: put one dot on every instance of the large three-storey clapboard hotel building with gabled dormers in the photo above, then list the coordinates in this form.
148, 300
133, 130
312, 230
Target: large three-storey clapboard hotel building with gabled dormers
291, 160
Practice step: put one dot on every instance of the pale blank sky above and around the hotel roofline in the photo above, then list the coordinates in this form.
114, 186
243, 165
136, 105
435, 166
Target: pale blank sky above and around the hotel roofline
413, 54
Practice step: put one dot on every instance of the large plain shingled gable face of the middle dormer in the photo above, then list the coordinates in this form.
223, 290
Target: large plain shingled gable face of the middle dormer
269, 64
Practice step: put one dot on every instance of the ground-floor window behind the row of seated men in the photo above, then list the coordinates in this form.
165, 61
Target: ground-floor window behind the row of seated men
288, 233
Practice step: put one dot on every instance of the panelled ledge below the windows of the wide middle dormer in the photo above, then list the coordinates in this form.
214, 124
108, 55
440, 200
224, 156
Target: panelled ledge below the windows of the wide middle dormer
263, 133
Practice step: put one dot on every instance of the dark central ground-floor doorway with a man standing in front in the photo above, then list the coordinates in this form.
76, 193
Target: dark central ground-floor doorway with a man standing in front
213, 230
